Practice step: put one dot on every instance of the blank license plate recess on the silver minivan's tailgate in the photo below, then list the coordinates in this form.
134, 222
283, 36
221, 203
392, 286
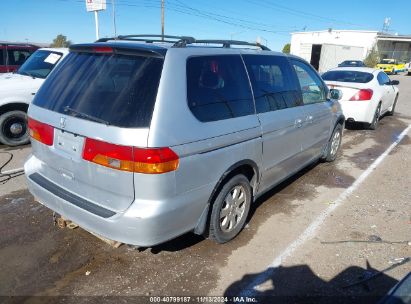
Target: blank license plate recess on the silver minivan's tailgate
69, 143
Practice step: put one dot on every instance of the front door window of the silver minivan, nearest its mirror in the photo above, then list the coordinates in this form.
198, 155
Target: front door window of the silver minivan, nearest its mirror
312, 87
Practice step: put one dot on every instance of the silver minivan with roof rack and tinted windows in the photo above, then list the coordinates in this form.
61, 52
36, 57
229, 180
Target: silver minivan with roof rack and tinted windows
142, 140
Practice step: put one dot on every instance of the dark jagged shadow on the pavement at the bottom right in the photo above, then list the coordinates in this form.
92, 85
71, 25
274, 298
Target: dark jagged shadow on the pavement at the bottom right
299, 284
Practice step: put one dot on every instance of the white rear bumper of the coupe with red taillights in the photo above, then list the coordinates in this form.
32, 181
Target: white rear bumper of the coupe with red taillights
359, 111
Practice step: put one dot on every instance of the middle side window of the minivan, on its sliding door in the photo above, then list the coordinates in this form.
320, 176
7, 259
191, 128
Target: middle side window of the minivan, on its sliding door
273, 83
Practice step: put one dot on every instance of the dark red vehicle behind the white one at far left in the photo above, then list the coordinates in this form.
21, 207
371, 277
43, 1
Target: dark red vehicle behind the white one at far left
13, 55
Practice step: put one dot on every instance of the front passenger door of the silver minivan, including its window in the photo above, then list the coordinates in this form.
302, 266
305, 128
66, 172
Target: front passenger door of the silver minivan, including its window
318, 120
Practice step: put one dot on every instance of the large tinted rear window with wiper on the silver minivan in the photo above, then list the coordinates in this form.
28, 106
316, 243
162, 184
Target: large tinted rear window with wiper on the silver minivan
119, 90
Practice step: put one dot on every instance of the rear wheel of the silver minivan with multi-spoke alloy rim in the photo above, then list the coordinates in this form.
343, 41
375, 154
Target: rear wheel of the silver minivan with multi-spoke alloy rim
218, 221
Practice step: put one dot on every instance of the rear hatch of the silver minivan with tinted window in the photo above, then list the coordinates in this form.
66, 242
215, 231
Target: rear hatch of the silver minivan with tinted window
98, 102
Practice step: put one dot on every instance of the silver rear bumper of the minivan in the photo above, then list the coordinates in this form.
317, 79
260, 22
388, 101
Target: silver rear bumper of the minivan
145, 223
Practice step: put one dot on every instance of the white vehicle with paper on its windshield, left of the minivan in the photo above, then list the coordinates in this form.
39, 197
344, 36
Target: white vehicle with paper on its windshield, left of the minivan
18, 89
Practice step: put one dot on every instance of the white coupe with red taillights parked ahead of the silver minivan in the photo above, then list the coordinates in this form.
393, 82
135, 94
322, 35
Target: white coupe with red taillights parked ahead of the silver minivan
367, 93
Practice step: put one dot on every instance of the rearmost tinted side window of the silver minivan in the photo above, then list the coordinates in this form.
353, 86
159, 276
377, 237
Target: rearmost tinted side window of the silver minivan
218, 88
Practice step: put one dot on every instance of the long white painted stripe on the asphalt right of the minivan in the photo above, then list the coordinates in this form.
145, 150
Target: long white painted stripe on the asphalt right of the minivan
310, 231
